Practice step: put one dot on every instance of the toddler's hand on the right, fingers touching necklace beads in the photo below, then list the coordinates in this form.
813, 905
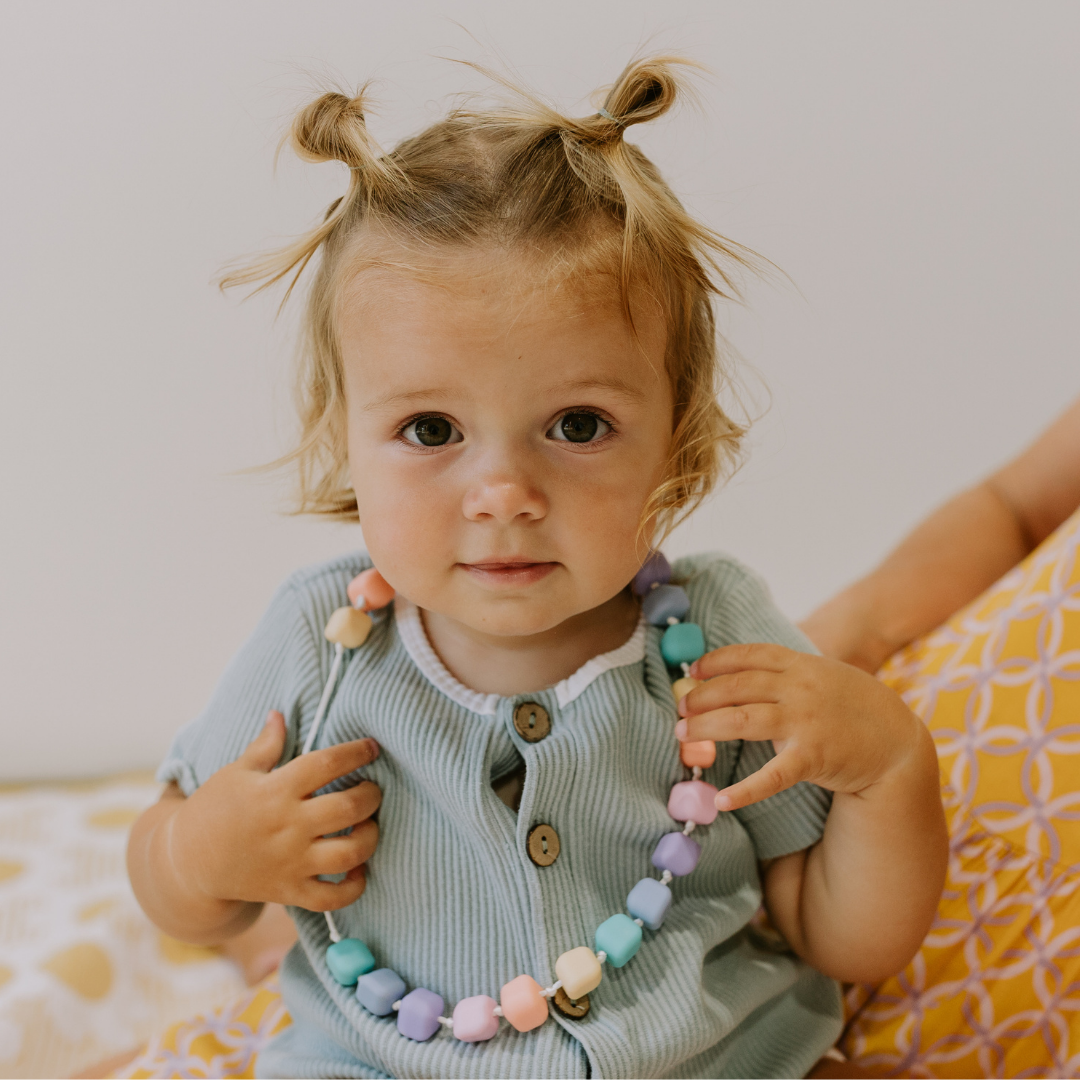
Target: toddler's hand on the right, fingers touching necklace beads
831, 724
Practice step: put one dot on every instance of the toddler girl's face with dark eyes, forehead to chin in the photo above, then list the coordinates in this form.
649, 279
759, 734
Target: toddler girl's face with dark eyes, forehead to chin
504, 438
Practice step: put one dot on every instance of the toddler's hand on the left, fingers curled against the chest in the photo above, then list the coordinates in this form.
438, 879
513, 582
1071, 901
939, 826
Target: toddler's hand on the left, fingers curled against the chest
254, 833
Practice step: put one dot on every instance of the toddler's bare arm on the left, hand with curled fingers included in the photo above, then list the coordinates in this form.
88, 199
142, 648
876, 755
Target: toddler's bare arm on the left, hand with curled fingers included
204, 867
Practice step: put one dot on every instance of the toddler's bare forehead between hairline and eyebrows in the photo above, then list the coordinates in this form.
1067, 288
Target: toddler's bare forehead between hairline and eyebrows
496, 315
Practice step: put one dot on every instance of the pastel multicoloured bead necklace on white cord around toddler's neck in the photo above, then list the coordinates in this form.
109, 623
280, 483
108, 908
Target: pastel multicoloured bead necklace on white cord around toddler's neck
523, 1003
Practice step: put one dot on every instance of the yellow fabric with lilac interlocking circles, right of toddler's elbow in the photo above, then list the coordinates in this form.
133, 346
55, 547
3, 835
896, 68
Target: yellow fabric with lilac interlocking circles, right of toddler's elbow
995, 990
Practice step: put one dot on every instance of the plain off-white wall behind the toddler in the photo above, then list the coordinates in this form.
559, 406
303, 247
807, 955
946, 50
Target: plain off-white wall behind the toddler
913, 167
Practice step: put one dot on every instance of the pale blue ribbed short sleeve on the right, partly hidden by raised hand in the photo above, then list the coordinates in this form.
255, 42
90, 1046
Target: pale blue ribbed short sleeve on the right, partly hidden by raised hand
738, 609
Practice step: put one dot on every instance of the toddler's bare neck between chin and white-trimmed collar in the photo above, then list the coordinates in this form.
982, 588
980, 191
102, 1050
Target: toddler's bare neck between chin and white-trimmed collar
509, 666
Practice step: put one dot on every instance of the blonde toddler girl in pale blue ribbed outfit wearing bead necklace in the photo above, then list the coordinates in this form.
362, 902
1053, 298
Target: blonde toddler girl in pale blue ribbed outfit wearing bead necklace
510, 377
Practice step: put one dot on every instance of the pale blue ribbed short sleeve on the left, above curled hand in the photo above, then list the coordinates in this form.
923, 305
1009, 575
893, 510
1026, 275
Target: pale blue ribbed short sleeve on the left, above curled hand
277, 669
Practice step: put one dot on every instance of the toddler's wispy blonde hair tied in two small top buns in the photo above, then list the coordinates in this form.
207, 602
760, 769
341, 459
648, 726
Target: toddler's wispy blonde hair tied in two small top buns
519, 175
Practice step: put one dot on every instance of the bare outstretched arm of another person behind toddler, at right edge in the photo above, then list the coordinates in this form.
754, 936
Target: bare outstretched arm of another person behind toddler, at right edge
960, 551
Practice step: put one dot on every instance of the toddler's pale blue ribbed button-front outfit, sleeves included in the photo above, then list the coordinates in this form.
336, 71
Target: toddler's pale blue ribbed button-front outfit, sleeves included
453, 902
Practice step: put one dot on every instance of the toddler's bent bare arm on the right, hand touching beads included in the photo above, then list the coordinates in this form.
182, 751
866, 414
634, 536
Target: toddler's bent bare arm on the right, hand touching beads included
858, 904
